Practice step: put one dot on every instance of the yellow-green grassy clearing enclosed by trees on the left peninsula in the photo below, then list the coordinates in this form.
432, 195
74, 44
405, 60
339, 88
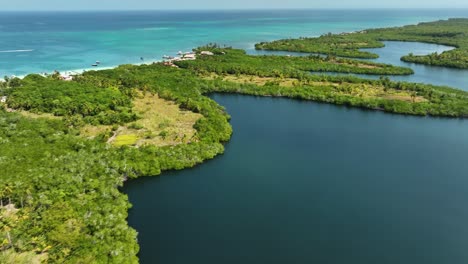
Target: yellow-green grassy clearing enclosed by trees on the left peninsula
162, 123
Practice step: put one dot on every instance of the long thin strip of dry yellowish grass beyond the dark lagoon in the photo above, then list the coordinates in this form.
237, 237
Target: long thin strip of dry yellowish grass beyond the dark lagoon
354, 89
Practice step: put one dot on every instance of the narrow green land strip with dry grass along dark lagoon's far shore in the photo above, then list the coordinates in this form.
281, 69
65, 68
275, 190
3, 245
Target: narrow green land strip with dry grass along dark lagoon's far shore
438, 101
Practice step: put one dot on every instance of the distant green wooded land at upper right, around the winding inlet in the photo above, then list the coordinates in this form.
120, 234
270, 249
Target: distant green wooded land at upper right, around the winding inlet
452, 32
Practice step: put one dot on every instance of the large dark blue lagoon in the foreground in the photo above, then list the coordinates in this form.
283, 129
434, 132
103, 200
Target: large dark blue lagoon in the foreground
302, 182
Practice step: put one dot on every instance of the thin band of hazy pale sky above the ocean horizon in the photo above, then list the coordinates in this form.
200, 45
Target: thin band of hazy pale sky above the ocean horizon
219, 4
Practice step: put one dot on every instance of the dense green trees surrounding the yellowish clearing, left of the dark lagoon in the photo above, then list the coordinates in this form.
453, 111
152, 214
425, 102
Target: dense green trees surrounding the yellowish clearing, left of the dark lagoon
59, 192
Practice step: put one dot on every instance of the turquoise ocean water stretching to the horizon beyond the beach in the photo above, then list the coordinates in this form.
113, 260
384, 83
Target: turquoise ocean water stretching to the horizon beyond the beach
46, 41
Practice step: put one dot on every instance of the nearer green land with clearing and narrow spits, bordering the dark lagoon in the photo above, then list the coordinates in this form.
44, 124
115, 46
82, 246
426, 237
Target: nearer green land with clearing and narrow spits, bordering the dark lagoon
68, 146
